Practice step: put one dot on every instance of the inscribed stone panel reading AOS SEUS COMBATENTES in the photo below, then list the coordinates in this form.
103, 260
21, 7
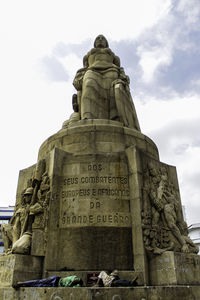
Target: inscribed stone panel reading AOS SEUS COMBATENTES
94, 191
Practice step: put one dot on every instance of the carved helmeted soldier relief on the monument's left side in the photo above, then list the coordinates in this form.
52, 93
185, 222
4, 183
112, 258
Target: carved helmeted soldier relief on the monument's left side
17, 234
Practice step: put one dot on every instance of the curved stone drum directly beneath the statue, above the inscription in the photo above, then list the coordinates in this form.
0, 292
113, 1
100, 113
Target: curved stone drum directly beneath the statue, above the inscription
99, 136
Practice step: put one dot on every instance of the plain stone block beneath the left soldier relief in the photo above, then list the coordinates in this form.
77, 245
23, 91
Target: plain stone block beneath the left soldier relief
18, 267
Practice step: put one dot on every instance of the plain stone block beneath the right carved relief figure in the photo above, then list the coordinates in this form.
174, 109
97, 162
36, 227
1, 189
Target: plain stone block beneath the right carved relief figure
173, 268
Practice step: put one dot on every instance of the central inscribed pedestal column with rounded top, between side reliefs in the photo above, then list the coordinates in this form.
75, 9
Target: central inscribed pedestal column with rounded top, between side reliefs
95, 210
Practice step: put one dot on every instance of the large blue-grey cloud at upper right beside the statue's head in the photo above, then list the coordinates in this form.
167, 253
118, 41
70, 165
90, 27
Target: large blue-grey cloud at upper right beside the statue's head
182, 41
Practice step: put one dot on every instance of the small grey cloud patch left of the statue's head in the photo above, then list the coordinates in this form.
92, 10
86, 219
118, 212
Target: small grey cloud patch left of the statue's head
53, 69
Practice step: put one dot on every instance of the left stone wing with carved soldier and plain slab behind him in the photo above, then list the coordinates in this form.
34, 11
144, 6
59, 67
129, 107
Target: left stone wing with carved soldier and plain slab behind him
31, 211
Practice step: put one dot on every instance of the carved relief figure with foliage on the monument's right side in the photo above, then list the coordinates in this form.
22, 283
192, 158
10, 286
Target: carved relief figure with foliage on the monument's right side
165, 214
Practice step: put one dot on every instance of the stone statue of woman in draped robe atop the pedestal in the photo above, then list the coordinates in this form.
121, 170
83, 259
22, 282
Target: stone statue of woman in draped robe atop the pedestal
103, 87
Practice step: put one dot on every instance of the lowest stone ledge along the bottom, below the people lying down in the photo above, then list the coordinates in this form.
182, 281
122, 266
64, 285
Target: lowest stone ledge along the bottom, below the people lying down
138, 293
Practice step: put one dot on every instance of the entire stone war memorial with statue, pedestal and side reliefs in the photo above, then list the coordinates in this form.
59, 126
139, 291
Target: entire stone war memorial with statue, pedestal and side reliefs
99, 198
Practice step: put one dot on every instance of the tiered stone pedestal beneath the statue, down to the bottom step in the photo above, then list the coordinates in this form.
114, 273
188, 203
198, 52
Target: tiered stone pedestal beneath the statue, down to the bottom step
97, 218
